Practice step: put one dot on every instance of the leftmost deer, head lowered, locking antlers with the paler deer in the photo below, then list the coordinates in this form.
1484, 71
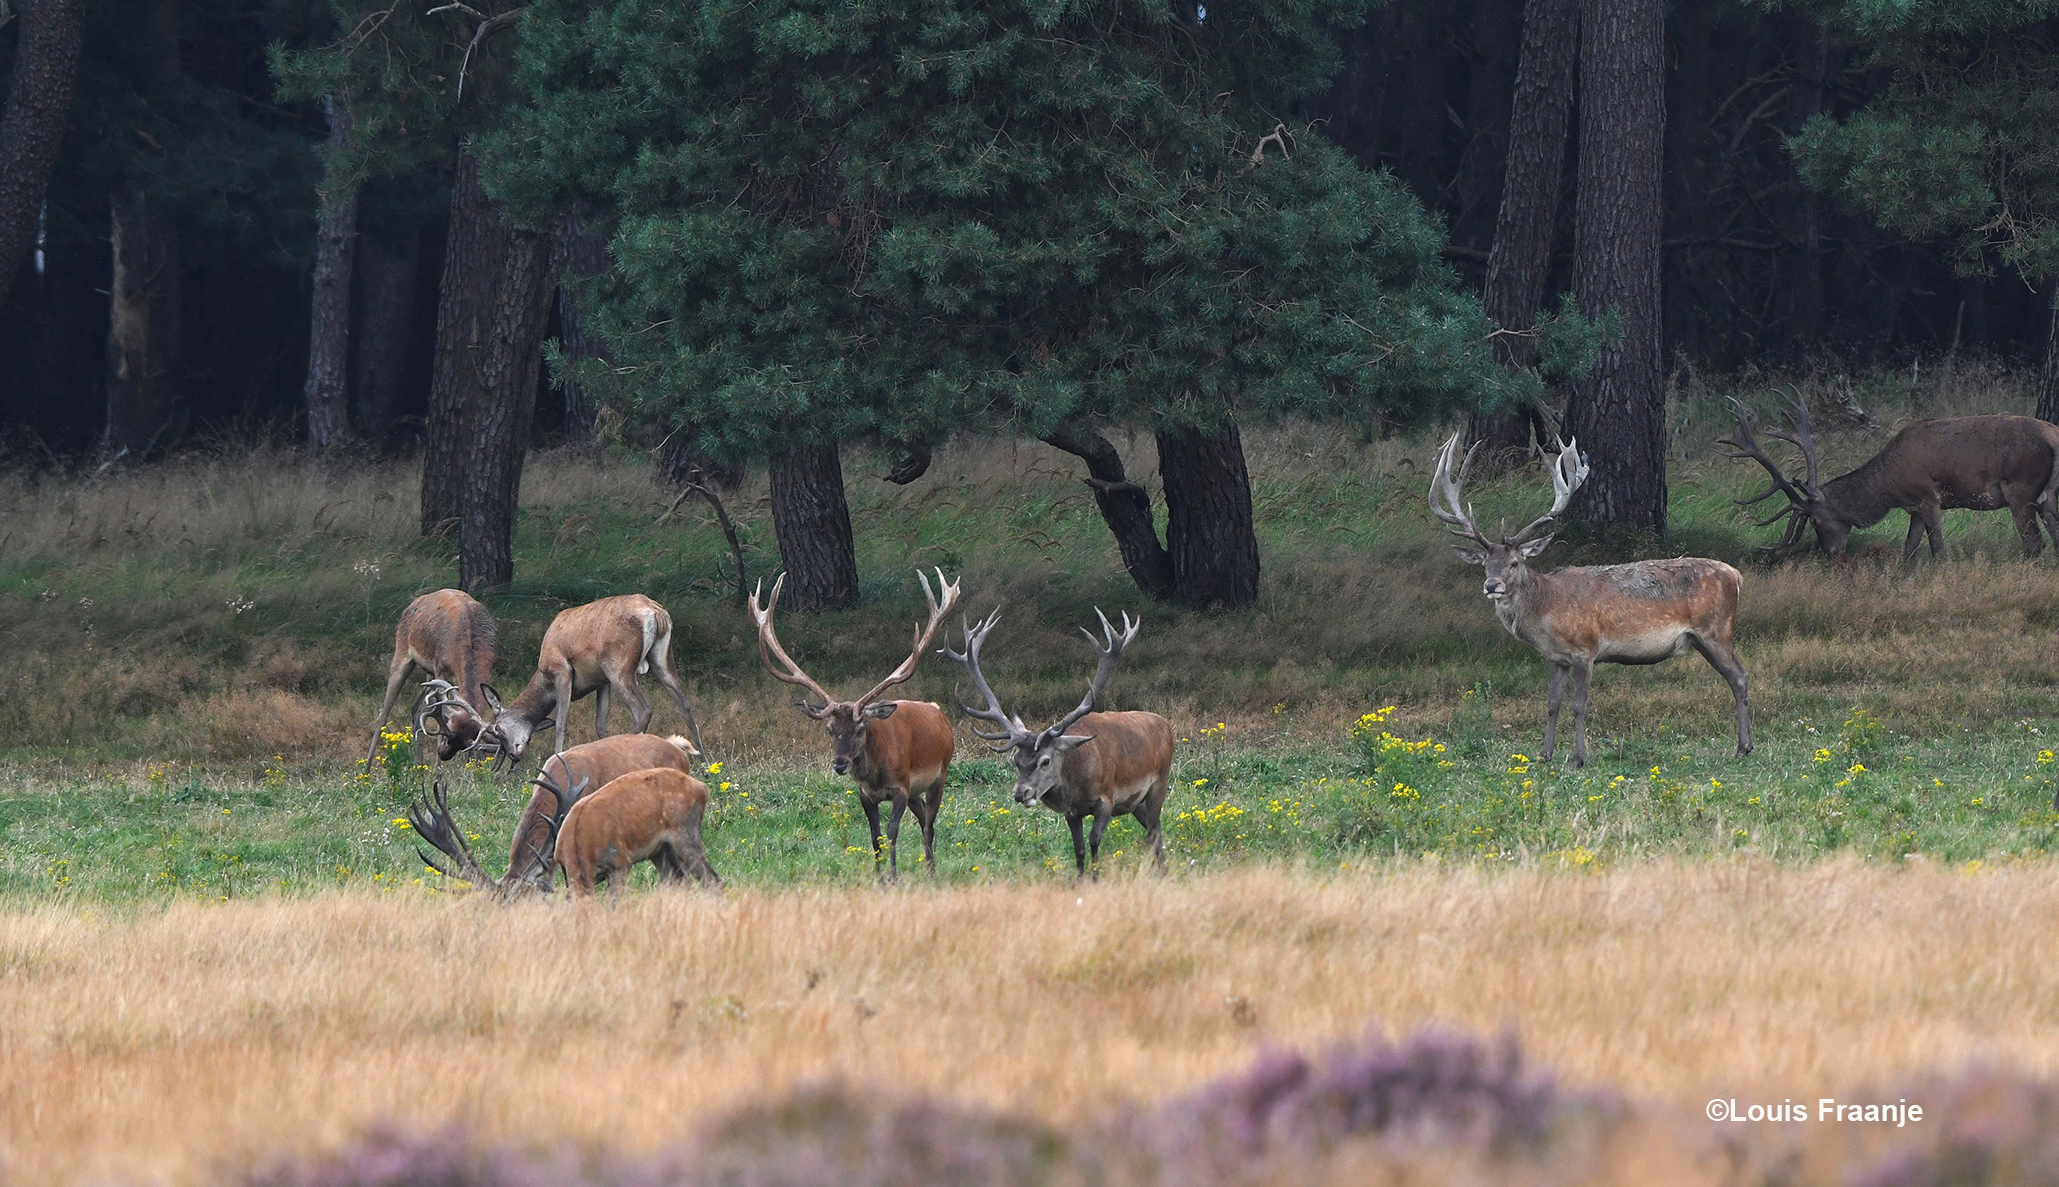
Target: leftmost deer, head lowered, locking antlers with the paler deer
450, 638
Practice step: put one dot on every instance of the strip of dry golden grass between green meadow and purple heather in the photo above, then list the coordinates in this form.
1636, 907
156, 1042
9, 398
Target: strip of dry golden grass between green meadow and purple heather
170, 1044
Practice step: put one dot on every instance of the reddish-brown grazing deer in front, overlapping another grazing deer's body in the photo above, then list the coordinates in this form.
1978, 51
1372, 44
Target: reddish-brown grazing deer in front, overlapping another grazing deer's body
639, 817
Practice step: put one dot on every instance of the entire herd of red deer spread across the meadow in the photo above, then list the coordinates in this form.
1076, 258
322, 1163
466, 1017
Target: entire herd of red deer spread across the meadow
608, 805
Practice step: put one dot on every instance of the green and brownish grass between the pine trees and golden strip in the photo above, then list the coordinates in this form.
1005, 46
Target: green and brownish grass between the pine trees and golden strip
193, 656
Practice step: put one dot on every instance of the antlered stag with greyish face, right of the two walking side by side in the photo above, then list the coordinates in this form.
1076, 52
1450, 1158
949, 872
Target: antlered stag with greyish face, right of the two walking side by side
1119, 764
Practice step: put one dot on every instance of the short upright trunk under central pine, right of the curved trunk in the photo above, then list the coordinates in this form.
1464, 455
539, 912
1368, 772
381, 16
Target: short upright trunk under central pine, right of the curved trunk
1210, 518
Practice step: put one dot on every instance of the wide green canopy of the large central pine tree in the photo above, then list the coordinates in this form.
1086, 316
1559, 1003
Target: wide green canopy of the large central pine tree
897, 217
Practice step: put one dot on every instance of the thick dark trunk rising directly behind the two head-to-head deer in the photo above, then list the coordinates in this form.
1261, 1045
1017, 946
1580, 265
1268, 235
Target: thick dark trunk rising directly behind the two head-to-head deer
491, 316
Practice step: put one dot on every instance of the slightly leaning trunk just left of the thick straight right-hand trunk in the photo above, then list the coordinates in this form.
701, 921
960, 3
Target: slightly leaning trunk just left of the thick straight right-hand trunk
1529, 217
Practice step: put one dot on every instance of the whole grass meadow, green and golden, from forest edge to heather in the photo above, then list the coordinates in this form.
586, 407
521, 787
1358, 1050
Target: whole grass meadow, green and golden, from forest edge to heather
207, 895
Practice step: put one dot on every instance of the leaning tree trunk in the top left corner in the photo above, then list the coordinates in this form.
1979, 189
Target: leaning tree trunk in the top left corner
32, 129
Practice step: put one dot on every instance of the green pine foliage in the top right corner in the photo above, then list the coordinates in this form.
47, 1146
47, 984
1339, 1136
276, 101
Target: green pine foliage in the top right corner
1961, 143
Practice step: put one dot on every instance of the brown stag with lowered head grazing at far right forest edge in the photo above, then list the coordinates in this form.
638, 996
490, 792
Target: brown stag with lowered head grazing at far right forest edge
1974, 463
